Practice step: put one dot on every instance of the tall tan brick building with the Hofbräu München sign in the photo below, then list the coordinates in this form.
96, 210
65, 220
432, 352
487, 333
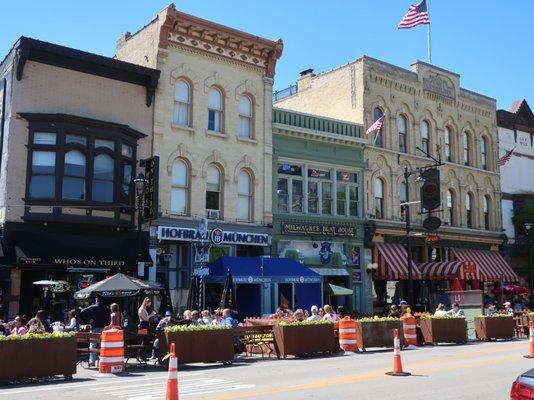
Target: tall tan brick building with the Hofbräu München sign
212, 132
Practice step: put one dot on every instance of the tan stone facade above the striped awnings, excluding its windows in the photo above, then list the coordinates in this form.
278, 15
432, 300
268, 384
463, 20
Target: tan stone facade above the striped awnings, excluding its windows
423, 94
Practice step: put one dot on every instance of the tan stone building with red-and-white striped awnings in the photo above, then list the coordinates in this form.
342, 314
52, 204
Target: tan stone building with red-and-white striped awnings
423, 107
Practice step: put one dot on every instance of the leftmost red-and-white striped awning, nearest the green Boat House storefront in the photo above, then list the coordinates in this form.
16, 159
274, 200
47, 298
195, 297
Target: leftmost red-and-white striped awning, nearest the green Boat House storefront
392, 262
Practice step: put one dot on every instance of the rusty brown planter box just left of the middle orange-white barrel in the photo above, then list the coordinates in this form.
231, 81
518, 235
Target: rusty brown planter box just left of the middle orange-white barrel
304, 339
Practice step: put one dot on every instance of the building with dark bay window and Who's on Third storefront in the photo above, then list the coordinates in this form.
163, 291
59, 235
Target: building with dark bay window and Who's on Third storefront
73, 127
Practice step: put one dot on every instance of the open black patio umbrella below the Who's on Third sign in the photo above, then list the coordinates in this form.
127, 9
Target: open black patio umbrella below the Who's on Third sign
120, 285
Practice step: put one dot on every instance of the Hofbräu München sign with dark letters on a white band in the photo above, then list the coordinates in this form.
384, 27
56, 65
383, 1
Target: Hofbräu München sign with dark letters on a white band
219, 236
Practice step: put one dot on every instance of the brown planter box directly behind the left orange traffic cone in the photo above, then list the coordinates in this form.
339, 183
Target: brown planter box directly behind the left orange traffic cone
207, 346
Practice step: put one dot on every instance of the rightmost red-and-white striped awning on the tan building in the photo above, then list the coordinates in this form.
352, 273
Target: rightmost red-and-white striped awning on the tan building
491, 264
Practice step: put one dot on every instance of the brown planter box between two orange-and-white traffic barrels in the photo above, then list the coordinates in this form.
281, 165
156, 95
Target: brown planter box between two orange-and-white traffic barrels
377, 334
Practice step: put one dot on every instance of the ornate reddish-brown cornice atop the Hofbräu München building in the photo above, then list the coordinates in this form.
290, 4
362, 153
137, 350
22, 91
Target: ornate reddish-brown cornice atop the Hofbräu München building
219, 40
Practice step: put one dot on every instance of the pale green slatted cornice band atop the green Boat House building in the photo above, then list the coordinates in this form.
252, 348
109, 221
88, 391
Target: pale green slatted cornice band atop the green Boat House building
321, 124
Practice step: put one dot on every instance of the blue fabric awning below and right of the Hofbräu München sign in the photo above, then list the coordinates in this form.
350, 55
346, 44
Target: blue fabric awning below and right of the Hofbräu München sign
260, 270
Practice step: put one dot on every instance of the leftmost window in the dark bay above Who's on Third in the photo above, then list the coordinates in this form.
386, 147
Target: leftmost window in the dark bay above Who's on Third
43, 178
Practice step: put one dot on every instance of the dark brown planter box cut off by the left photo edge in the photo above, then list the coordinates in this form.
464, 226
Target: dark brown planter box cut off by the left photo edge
37, 358
